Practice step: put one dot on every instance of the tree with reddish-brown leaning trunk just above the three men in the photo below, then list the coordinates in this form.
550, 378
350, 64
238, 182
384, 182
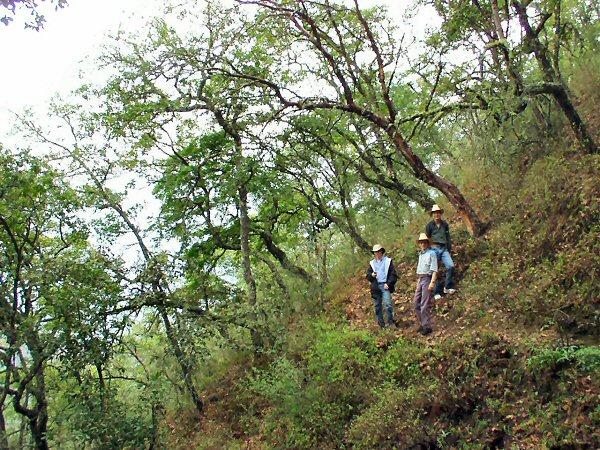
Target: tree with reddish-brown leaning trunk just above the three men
335, 36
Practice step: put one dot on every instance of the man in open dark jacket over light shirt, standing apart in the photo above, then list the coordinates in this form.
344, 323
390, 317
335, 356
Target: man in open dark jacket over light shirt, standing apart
382, 275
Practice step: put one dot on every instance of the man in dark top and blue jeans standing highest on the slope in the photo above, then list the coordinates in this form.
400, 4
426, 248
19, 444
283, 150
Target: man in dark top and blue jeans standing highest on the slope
438, 231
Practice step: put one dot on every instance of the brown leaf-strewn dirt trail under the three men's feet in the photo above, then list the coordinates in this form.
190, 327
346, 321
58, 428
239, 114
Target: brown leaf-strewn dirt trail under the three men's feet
454, 316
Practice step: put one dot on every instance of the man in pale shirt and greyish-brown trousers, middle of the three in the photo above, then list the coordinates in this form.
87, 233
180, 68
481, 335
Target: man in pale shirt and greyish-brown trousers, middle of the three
426, 277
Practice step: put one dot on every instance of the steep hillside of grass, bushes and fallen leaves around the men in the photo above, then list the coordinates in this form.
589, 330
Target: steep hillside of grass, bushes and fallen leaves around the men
513, 362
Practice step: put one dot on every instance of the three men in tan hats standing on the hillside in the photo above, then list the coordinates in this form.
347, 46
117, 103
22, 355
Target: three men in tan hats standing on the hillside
435, 247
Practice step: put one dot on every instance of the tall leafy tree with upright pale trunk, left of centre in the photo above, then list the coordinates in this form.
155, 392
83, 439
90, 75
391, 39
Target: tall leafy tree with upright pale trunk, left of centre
167, 79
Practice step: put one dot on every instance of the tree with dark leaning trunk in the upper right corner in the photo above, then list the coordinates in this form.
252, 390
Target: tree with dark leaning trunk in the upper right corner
489, 29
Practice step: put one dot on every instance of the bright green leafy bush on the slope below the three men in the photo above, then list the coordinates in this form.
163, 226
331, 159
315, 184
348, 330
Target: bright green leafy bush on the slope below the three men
307, 403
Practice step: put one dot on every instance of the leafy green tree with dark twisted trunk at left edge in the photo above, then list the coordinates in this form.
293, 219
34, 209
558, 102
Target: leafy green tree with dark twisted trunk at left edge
55, 290
